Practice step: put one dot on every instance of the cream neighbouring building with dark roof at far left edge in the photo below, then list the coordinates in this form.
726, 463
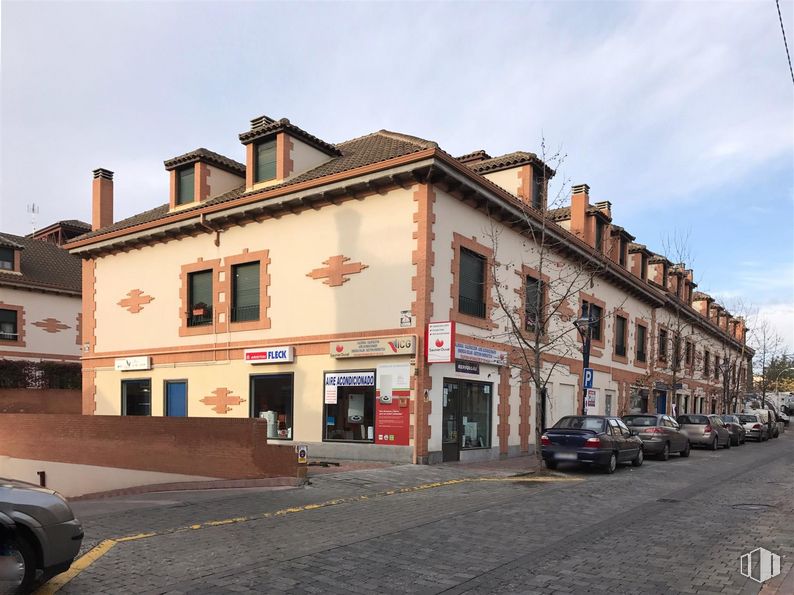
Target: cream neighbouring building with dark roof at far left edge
40, 287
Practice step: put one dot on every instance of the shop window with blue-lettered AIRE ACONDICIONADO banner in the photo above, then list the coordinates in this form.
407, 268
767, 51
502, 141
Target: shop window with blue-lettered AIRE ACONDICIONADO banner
349, 406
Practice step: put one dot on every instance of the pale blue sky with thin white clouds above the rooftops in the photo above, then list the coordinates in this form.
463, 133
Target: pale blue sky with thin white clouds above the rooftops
679, 113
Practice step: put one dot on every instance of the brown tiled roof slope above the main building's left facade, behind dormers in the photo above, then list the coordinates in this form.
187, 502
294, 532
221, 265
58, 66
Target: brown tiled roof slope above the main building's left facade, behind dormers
358, 152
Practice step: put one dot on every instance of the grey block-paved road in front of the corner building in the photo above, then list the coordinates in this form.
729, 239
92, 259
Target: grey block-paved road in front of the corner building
668, 527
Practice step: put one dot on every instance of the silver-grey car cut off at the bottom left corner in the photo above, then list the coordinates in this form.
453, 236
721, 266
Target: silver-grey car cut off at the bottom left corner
38, 531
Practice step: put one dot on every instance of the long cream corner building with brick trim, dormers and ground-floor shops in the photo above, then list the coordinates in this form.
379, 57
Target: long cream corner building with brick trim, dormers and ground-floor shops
299, 286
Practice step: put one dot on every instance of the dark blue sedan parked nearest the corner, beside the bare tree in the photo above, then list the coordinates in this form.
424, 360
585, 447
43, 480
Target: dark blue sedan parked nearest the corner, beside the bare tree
591, 440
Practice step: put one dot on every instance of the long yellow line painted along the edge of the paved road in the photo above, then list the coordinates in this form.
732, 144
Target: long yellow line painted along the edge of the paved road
56, 583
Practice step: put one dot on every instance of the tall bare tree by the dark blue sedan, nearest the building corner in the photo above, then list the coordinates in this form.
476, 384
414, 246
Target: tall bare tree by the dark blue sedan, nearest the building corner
536, 319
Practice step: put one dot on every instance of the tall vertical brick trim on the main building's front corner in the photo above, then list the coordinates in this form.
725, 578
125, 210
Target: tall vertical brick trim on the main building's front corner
423, 258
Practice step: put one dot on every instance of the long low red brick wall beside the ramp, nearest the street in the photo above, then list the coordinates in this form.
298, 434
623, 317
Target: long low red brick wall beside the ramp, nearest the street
225, 448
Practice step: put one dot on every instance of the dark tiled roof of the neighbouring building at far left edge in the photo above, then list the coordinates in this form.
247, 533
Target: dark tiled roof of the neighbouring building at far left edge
43, 265
